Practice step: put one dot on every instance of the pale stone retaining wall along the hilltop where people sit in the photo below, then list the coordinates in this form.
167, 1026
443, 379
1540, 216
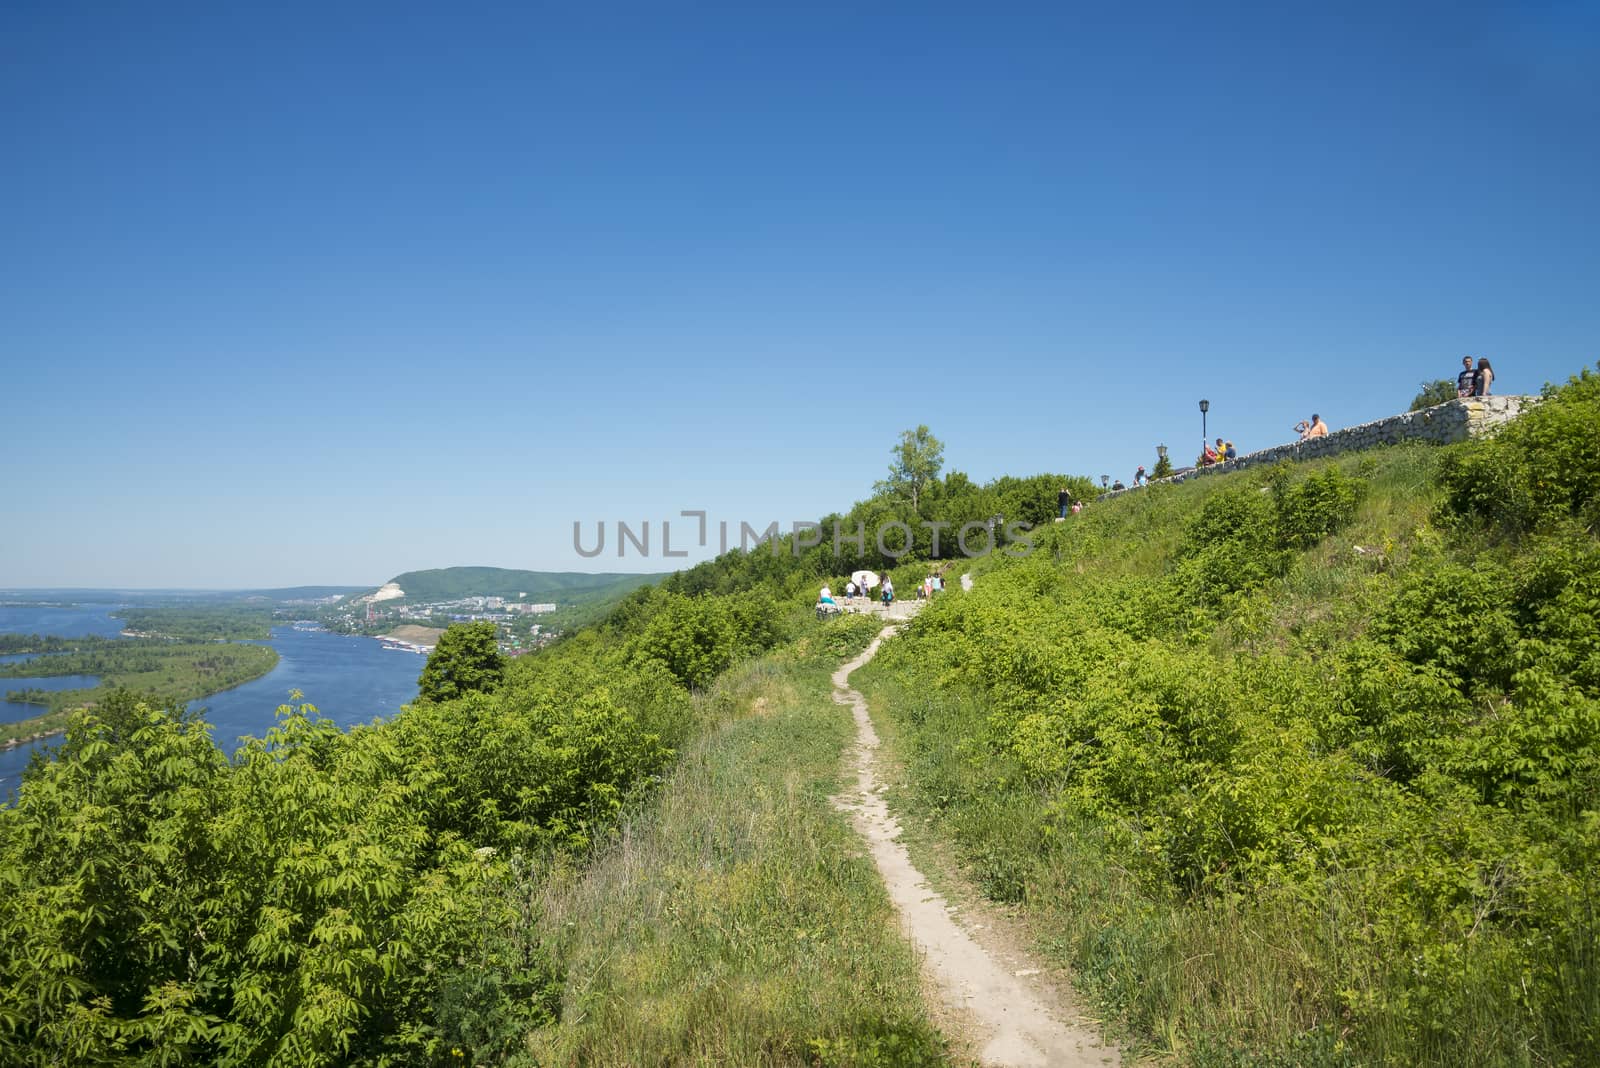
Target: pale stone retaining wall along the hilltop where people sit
1441, 424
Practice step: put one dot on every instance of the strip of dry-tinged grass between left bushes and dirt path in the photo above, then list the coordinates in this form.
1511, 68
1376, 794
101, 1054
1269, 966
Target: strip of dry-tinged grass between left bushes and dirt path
737, 920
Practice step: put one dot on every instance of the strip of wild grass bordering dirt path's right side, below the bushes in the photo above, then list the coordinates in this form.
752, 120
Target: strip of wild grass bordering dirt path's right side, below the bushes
1234, 981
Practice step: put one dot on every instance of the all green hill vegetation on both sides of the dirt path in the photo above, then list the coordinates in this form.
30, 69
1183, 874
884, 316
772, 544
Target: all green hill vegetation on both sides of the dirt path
1295, 765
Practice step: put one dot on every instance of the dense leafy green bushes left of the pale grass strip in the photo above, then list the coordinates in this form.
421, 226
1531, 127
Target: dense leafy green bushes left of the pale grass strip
327, 898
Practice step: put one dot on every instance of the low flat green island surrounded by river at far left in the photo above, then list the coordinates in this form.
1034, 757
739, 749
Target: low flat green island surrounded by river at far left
169, 672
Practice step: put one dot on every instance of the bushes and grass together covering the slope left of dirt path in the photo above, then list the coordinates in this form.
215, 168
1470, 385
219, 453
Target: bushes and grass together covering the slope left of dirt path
434, 890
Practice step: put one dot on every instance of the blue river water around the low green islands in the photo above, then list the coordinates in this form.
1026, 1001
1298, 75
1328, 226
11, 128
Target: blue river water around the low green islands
351, 680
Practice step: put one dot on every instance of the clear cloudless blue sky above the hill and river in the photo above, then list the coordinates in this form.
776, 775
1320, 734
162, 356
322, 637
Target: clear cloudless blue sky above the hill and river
322, 293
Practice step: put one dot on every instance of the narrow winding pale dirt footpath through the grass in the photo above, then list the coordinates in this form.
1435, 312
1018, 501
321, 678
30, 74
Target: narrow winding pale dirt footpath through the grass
1007, 1014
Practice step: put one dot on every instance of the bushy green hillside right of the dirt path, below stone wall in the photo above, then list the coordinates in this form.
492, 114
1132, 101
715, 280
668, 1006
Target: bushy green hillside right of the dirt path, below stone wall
1295, 767
